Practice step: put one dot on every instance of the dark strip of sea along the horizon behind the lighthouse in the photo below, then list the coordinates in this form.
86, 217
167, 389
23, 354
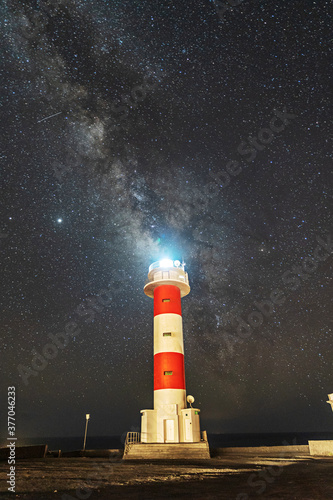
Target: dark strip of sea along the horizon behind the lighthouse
215, 440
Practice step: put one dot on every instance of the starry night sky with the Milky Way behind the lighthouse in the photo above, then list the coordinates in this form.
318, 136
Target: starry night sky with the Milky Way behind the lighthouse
139, 129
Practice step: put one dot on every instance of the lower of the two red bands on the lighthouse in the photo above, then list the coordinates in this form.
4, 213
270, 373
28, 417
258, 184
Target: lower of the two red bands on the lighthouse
172, 362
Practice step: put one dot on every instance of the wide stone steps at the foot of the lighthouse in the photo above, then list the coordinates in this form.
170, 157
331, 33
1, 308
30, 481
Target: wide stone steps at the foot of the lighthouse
163, 451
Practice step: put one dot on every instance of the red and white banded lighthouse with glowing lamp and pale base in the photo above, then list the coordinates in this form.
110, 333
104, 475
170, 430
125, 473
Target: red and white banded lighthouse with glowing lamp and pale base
171, 421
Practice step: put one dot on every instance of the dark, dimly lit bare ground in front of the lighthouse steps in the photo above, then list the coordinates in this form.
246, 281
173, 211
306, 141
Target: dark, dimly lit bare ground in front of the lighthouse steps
230, 478
